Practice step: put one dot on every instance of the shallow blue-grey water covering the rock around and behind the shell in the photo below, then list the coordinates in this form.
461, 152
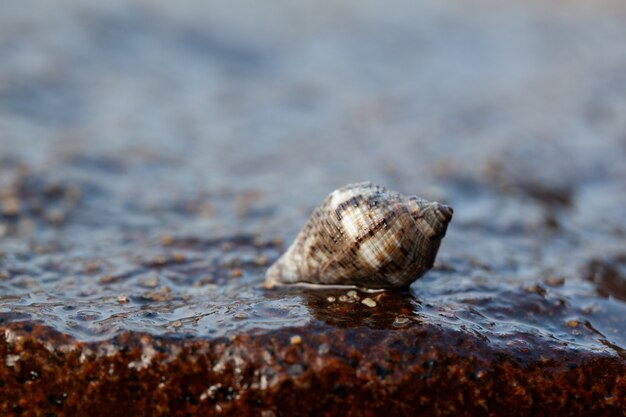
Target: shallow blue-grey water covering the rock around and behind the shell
155, 159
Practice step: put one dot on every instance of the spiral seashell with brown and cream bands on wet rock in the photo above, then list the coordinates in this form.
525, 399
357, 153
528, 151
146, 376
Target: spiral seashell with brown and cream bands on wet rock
366, 236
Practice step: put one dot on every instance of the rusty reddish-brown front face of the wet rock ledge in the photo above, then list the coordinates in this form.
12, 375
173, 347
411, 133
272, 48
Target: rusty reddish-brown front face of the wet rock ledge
362, 372
